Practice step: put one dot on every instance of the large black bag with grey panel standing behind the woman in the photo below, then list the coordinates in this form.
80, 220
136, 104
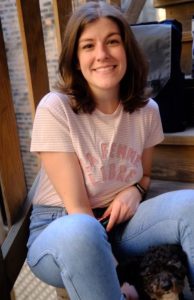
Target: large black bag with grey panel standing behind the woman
162, 44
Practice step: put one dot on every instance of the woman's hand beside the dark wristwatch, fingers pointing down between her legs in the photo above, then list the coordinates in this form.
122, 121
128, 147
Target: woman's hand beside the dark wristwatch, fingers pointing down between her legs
123, 207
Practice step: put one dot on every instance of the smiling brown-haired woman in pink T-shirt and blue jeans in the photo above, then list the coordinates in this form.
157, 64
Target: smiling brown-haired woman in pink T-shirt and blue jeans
95, 139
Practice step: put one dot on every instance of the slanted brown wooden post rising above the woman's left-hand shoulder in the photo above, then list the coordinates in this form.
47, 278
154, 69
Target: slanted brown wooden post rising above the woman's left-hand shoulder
34, 50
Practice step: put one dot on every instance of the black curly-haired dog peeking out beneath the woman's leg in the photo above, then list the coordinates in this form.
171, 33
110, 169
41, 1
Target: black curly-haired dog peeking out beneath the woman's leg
158, 274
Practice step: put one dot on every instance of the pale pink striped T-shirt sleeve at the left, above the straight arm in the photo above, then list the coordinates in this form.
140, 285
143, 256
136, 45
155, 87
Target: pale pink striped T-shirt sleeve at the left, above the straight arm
51, 130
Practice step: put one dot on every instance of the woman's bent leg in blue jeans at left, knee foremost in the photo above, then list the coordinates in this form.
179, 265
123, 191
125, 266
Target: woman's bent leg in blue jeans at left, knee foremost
74, 251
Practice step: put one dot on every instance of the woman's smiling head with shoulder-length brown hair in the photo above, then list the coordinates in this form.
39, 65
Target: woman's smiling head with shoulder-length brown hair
82, 30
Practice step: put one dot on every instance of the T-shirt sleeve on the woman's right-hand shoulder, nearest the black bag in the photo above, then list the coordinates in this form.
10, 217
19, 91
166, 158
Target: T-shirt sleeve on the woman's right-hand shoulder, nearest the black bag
155, 133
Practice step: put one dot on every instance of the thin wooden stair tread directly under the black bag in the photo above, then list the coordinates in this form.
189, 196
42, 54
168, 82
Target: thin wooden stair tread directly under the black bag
180, 138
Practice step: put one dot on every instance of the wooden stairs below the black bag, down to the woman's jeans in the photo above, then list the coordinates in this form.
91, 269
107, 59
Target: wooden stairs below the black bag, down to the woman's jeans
173, 163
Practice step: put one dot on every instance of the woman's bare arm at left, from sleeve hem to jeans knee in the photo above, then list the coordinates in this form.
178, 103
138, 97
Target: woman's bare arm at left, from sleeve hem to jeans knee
64, 171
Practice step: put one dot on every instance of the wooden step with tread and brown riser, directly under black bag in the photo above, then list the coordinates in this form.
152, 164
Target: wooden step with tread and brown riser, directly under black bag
174, 157
